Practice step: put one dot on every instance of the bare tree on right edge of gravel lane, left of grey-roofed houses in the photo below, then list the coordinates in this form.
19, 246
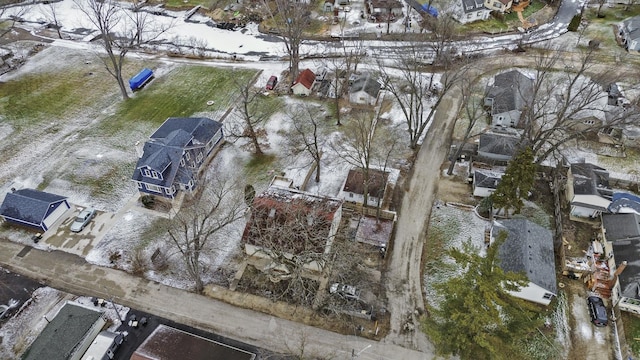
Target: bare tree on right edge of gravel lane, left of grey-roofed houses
472, 111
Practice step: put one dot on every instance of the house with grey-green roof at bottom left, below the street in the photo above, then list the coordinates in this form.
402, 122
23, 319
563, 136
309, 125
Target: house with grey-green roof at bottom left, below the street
68, 335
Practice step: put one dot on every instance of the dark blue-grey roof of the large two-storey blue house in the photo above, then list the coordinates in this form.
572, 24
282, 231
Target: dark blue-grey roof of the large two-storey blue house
163, 151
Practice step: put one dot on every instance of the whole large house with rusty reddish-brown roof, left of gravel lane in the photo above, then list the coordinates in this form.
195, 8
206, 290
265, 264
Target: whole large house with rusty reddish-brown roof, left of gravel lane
310, 223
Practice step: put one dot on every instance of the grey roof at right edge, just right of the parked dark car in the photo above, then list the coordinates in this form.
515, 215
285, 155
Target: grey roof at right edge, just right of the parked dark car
629, 251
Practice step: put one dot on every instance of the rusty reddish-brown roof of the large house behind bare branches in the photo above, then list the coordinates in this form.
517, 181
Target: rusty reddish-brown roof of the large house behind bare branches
307, 218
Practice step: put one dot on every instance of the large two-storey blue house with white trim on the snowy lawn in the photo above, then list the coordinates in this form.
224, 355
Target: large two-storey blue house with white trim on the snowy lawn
174, 155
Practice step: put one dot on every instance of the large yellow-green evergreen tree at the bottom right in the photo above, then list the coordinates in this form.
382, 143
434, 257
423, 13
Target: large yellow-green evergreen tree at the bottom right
477, 318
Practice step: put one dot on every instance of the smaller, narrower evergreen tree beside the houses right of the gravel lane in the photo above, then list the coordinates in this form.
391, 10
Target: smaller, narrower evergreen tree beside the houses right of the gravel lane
516, 182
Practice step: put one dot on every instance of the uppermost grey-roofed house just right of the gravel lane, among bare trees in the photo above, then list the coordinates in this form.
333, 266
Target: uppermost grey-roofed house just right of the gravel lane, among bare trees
507, 97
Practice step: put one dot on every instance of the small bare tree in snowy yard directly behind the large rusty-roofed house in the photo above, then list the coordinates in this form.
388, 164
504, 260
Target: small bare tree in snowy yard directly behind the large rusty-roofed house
307, 133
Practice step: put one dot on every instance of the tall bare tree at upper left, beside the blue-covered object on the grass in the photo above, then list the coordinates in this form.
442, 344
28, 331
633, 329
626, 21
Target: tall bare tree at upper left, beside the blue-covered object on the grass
121, 31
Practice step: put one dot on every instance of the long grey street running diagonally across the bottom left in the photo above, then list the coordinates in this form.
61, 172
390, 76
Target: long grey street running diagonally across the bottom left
71, 273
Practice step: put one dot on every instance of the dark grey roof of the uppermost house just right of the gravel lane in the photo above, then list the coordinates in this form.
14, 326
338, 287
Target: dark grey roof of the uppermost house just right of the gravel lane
509, 91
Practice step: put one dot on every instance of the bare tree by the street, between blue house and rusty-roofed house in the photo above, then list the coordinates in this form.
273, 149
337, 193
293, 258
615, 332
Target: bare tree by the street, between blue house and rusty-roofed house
195, 229
